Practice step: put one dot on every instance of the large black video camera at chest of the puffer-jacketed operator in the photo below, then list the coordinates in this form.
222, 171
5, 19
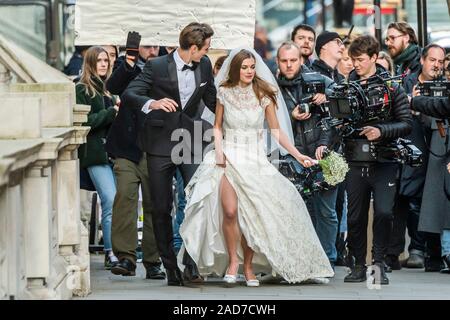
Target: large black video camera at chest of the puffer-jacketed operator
355, 104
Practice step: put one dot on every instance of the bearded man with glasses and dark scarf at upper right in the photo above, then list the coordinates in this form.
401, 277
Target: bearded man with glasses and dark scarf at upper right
401, 41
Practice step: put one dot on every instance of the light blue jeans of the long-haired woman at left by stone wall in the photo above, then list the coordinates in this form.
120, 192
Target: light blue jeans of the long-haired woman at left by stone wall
102, 177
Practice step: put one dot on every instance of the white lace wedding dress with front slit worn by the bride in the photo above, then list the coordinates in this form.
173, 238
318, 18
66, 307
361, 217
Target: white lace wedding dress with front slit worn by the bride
271, 213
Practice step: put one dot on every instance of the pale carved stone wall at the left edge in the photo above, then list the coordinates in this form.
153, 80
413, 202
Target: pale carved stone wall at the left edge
43, 244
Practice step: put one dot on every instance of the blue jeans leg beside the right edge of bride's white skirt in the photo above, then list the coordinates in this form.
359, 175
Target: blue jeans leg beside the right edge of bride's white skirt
325, 220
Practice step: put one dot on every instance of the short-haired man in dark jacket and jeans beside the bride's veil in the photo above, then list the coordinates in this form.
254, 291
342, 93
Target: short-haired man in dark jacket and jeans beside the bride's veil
310, 139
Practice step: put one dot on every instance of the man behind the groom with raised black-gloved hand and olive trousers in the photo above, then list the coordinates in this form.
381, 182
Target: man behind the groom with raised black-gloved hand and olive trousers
130, 170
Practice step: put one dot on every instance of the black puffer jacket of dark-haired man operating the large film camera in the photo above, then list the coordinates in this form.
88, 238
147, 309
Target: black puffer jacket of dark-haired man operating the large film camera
401, 123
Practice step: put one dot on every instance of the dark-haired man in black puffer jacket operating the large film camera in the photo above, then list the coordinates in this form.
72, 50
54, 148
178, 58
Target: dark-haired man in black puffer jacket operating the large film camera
371, 176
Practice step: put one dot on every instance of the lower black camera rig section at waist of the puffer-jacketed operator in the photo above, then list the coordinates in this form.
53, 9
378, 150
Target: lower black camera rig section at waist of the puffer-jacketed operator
400, 150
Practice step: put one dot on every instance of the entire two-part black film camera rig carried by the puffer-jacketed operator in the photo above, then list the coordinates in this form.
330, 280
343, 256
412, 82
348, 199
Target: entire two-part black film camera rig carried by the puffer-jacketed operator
354, 105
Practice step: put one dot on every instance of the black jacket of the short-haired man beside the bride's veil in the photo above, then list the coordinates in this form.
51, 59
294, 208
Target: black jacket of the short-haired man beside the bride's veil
307, 135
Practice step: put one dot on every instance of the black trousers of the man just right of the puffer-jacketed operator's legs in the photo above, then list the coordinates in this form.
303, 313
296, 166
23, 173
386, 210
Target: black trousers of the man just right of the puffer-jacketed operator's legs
406, 214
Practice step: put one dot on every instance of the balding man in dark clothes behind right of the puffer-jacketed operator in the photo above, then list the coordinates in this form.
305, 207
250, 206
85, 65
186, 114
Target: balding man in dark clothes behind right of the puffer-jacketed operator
412, 179
